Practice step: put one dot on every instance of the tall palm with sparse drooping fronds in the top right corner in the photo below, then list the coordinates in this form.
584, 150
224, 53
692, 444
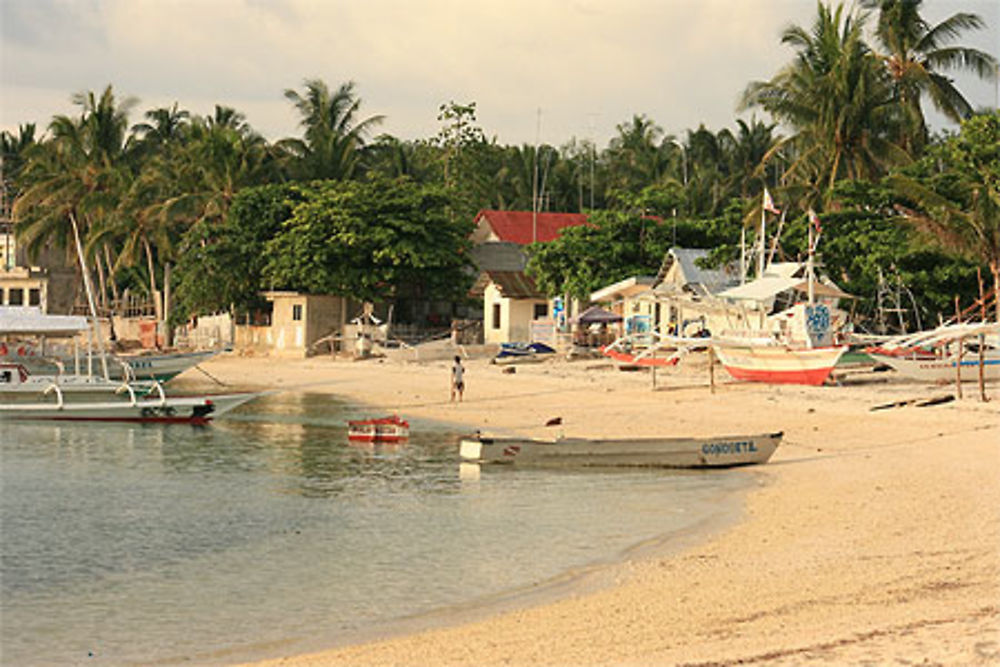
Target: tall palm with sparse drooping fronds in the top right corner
915, 55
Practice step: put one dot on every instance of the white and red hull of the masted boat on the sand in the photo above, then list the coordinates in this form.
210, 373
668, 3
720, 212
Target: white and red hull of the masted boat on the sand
779, 365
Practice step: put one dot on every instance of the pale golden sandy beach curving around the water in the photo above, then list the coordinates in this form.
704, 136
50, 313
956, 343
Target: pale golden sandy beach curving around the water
874, 537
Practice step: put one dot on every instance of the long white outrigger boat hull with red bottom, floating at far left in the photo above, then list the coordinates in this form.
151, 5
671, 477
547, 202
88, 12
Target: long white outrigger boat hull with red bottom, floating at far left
126, 406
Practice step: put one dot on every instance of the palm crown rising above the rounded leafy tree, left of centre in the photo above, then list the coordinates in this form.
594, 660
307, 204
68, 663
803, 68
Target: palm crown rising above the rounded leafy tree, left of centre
333, 137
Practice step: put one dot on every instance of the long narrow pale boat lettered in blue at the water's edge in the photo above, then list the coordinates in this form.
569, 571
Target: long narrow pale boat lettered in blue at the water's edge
715, 452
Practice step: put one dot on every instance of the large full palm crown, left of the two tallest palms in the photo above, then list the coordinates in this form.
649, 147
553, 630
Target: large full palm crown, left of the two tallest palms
838, 100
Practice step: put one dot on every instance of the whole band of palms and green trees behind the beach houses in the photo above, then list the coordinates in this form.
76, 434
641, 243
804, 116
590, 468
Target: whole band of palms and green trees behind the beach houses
201, 213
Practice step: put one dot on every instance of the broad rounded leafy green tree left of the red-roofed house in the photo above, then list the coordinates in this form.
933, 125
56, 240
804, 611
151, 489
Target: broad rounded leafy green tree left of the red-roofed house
364, 239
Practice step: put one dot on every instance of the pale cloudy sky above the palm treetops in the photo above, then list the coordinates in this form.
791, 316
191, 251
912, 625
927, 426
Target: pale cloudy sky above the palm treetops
541, 71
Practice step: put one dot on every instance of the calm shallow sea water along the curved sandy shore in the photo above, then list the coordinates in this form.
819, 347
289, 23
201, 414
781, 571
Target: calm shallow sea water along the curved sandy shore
124, 543
